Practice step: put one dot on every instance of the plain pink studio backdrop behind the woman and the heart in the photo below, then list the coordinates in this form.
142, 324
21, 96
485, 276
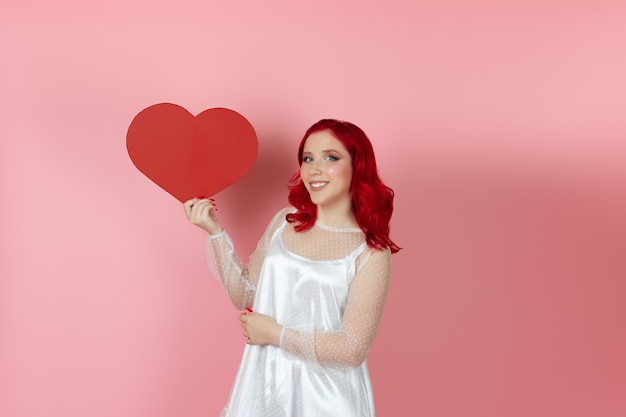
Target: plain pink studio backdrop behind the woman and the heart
501, 128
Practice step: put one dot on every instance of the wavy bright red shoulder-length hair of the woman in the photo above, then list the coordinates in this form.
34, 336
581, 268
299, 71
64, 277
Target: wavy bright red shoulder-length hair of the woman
372, 200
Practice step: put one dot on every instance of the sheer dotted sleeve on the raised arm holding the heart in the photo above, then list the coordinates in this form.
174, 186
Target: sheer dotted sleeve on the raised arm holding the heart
237, 279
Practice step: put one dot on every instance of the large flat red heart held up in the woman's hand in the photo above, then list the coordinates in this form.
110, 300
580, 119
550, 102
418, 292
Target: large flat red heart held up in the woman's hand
189, 156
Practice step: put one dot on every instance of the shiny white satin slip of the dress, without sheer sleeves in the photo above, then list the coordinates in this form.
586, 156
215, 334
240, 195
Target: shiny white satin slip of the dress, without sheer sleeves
308, 295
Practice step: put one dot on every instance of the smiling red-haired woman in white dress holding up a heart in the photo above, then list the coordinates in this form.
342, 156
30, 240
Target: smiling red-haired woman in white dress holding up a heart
315, 287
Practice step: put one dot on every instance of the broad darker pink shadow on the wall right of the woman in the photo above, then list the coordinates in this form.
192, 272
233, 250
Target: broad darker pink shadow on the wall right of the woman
508, 294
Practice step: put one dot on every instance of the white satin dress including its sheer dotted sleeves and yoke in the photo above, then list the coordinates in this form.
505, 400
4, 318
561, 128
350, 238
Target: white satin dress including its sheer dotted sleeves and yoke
319, 369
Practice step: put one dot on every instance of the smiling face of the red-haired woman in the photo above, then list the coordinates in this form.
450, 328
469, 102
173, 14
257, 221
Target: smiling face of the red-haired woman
326, 170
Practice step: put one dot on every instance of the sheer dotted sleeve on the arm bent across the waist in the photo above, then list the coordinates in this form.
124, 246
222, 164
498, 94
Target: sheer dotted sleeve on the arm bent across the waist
349, 345
